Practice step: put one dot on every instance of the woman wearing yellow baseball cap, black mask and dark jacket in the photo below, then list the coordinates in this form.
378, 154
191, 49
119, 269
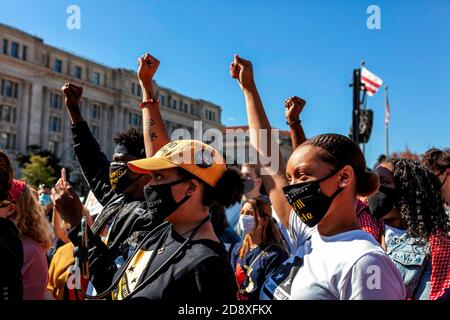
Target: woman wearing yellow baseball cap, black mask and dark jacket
181, 259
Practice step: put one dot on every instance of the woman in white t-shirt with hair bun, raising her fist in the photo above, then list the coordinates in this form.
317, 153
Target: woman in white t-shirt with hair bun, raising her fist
315, 198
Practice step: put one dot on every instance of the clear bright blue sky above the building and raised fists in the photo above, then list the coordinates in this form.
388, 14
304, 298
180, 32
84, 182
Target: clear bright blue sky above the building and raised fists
304, 48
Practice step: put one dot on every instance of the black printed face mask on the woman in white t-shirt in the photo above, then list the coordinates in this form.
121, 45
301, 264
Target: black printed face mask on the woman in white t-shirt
308, 201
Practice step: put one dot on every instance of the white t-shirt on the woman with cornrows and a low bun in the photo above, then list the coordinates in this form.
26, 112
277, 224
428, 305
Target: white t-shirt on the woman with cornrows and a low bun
347, 266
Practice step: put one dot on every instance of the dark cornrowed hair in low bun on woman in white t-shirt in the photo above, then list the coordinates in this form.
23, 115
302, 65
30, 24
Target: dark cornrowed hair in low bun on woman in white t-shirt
338, 151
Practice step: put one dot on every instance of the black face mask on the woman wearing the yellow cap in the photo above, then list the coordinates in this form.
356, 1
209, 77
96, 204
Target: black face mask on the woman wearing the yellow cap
160, 201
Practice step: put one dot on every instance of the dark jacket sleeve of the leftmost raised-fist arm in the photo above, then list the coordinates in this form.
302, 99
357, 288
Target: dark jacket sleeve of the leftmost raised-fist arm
93, 162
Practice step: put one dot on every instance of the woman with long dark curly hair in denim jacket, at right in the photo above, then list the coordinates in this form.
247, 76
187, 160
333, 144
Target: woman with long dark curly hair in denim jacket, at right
416, 228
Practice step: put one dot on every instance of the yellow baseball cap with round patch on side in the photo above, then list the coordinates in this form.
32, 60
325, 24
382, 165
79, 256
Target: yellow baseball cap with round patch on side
194, 156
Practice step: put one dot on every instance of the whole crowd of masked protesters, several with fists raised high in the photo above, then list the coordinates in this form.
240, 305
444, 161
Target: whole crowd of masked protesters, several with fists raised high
322, 226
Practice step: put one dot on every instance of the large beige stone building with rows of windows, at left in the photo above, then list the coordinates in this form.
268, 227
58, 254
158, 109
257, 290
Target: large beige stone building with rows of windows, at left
32, 109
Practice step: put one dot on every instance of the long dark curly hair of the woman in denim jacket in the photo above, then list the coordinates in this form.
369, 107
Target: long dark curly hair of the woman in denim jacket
420, 202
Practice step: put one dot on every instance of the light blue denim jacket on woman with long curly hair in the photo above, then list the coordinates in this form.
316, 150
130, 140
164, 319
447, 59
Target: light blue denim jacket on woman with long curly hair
412, 257
